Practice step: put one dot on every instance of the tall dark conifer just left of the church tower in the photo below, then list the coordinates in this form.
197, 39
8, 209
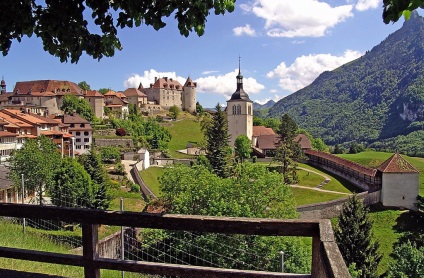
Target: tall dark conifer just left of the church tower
217, 149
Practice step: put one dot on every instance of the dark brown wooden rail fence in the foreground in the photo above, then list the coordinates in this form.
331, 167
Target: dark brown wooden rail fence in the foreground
326, 258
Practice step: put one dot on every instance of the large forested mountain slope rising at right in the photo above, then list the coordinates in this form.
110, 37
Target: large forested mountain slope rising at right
377, 96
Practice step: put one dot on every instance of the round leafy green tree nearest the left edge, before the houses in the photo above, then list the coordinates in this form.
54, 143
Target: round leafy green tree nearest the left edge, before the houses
37, 161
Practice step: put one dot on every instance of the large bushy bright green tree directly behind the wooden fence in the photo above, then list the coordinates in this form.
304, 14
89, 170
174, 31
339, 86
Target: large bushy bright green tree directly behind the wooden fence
253, 191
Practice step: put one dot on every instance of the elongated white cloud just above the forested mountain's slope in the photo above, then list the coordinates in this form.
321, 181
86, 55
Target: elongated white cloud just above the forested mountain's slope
305, 69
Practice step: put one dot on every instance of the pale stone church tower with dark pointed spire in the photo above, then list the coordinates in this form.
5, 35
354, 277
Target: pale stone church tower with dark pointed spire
239, 112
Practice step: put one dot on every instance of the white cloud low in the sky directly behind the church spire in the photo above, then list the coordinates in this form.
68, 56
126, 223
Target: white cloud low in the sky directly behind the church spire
227, 84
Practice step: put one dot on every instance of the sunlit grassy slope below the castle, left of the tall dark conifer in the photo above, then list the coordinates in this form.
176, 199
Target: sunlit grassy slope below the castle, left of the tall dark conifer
183, 131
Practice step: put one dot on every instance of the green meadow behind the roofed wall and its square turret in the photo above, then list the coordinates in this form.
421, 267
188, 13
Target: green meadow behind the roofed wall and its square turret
374, 159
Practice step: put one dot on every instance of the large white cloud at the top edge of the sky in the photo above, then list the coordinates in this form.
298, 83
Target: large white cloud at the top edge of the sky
298, 18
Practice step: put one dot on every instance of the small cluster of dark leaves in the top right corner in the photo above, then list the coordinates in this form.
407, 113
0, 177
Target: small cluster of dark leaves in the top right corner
394, 9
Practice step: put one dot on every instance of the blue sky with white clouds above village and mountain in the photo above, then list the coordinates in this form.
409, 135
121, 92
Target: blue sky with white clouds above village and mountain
283, 46
